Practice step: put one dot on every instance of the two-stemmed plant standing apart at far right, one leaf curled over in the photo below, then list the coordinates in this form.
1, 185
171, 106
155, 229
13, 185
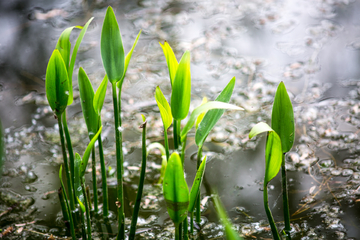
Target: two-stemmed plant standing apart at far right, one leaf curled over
280, 139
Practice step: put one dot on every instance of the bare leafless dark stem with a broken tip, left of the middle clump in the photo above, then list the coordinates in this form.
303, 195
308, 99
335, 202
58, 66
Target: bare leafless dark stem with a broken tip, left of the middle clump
141, 185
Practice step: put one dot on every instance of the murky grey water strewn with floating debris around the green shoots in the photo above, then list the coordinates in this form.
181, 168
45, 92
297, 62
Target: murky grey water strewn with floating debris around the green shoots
314, 47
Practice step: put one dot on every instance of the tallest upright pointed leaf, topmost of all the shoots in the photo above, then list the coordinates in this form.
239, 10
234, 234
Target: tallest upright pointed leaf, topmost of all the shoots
112, 50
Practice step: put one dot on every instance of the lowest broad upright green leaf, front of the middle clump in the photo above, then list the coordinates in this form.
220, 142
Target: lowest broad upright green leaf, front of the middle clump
176, 191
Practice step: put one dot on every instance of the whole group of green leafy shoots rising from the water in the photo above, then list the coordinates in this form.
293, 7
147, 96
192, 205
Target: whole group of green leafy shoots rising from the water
182, 204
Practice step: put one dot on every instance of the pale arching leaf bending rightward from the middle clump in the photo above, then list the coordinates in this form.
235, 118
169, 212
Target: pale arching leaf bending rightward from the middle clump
203, 108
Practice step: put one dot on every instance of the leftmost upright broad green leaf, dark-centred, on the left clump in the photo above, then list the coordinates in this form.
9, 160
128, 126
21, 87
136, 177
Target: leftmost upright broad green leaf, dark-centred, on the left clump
57, 83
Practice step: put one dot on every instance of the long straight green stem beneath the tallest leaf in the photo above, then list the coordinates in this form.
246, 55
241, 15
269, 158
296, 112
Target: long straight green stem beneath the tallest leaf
119, 164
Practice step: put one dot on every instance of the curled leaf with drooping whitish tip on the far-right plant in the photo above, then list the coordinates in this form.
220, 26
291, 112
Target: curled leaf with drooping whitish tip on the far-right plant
273, 152
